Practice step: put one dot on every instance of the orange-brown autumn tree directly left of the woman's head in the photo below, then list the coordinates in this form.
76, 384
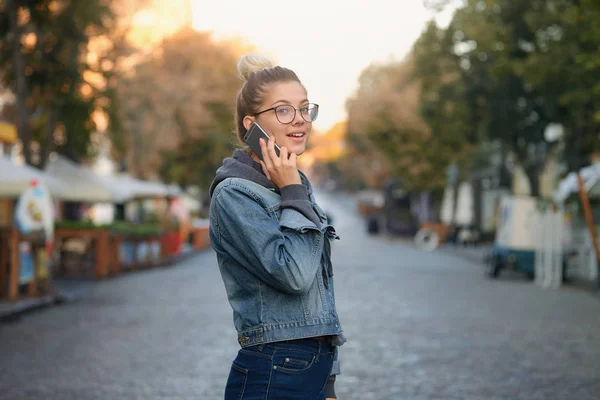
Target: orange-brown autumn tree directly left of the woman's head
176, 109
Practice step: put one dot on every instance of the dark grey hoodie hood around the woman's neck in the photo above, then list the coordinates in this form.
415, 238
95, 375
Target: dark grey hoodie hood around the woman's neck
241, 165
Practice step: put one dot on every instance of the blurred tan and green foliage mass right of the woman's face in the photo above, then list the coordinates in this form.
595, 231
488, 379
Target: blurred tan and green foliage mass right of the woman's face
413, 117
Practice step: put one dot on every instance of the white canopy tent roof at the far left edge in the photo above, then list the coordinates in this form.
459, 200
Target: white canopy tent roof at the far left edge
15, 178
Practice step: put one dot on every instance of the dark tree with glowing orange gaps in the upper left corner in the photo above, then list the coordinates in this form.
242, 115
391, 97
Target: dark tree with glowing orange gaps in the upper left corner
44, 55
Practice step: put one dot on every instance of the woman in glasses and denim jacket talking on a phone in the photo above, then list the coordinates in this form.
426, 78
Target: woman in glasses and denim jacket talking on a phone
273, 247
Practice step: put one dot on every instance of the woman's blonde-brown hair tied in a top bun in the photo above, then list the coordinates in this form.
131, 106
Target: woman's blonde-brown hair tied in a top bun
258, 73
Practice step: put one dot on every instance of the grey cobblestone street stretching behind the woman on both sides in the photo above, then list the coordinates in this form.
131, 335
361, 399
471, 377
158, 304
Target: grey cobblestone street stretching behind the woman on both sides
419, 326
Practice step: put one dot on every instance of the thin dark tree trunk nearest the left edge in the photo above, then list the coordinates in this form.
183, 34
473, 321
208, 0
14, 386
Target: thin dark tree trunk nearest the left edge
20, 80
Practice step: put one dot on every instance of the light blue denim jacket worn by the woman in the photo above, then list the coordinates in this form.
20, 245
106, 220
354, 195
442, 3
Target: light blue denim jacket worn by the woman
275, 264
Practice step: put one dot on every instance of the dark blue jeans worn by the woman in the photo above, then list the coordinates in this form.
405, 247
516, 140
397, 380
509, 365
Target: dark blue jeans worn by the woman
294, 369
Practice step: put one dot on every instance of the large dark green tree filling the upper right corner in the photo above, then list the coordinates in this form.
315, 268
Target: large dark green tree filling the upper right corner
525, 64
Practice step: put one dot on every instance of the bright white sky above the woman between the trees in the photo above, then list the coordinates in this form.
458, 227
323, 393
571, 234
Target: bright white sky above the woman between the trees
326, 42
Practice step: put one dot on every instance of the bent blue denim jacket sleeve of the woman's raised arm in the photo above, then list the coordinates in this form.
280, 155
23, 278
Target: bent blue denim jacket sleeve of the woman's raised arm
284, 254
